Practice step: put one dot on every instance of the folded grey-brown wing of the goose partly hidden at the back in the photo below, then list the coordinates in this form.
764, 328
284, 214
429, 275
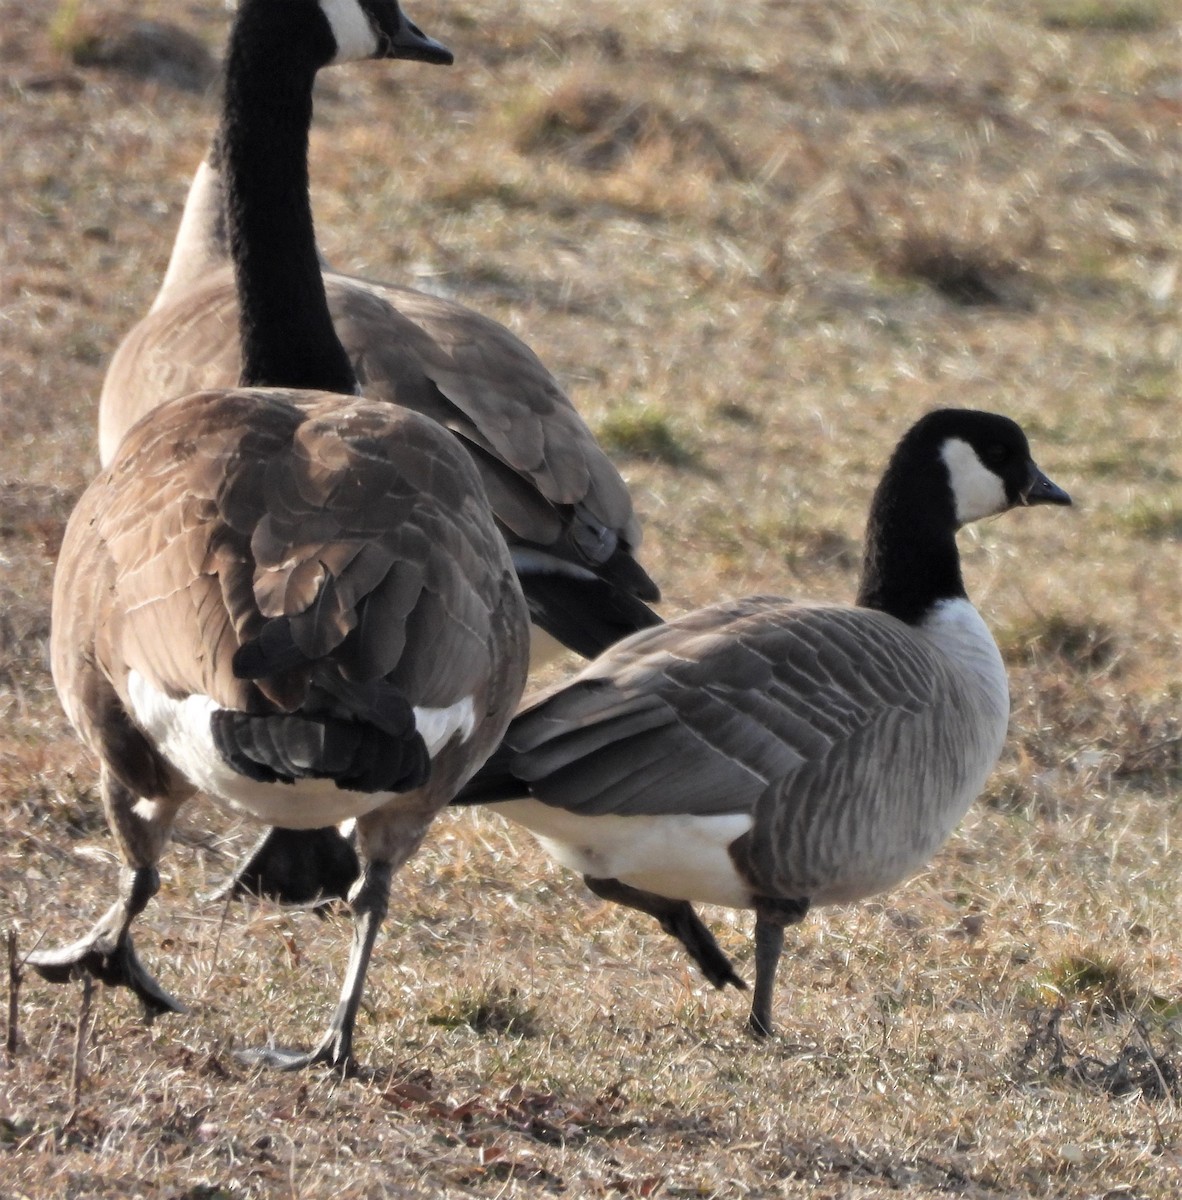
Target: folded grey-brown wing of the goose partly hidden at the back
566, 511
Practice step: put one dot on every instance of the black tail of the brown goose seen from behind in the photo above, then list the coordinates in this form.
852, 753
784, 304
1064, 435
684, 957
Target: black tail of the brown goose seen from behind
279, 748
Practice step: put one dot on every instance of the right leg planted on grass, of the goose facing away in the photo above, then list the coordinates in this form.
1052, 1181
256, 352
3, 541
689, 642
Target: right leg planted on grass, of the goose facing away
370, 901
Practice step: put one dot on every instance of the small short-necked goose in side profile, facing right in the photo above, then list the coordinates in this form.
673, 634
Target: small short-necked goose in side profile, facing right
770, 755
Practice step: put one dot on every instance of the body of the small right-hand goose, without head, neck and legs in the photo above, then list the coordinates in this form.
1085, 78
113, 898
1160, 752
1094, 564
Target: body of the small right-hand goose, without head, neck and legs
731, 770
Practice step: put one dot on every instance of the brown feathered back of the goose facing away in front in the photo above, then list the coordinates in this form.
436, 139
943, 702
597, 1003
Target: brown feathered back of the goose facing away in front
356, 524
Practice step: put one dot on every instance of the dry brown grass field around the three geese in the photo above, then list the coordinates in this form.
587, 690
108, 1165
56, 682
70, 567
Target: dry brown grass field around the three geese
757, 241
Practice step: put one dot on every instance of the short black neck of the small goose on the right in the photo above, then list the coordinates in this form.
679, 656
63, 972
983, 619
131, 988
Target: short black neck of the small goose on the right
911, 560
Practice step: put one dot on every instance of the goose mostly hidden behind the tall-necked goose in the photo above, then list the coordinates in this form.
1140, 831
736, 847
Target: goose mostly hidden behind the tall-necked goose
560, 502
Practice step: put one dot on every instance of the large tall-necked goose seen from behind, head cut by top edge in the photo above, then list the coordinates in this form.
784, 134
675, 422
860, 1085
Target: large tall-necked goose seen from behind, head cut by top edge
280, 595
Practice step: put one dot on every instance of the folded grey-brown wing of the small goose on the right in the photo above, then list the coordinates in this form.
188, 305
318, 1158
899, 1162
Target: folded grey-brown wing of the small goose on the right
705, 713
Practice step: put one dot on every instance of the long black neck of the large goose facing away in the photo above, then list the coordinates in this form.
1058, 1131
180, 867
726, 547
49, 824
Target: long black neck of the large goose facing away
287, 335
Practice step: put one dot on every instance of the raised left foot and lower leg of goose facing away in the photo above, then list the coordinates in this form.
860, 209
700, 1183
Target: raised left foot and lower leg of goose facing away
107, 952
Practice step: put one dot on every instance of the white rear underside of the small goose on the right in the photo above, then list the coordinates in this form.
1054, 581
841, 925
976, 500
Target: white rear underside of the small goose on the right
679, 856
